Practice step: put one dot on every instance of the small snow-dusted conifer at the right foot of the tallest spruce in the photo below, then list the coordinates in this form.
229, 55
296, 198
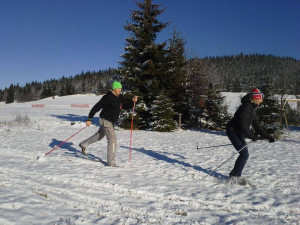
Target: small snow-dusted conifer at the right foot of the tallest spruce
162, 114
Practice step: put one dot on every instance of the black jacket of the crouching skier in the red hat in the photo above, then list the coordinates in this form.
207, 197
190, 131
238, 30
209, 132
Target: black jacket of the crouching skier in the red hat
244, 117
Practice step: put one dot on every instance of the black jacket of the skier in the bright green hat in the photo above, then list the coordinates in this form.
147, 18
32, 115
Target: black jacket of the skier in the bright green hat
111, 106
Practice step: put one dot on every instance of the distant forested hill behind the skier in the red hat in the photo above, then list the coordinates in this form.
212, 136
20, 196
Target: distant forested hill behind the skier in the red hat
241, 71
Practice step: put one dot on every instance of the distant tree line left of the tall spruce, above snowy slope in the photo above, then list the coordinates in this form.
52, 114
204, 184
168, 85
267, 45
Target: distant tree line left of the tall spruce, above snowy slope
86, 82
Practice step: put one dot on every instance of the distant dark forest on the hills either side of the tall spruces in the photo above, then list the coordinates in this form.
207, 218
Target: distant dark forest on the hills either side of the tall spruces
237, 73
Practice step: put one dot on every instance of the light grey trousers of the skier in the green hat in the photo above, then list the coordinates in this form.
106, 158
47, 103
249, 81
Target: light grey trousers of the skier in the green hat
106, 129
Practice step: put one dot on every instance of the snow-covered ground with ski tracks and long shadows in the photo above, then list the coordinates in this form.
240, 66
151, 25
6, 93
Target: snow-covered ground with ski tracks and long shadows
161, 185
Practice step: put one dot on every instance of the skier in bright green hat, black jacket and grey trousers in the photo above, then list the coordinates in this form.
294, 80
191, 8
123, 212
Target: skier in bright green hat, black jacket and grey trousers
110, 106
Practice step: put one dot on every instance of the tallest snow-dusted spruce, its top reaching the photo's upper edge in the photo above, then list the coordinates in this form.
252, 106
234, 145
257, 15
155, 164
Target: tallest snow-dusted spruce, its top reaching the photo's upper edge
144, 61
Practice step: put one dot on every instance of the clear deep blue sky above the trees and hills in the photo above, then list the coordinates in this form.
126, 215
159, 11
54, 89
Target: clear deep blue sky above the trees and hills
47, 39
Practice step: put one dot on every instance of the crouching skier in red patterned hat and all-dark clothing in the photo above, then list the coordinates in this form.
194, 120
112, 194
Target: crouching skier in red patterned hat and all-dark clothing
238, 129
